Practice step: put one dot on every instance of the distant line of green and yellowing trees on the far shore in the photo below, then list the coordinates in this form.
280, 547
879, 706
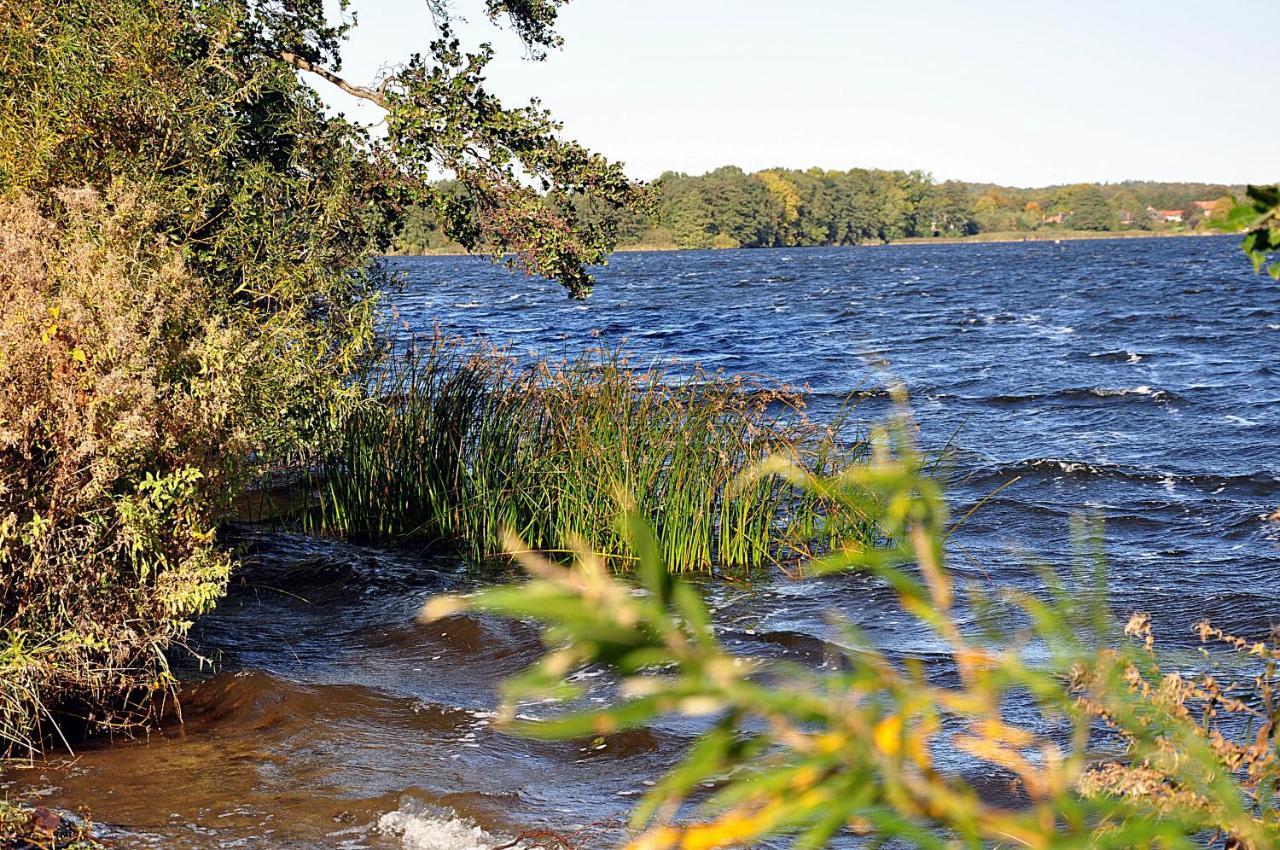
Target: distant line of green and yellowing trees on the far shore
775, 208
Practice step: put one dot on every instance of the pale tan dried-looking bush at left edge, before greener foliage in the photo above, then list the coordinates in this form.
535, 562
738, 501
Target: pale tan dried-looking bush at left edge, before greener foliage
120, 412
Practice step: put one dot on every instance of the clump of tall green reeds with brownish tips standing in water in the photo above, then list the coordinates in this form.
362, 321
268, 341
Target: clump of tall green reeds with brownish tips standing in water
459, 444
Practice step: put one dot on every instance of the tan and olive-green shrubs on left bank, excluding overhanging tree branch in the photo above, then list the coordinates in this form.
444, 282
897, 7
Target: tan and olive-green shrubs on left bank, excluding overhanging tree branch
182, 249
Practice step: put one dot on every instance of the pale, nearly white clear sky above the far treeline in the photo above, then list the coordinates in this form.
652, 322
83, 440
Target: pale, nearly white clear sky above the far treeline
1018, 93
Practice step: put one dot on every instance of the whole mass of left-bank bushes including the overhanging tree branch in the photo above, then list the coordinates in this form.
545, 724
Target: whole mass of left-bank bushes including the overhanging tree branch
189, 281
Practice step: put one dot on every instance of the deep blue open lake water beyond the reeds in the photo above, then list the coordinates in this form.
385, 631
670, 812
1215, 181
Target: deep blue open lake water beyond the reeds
1130, 381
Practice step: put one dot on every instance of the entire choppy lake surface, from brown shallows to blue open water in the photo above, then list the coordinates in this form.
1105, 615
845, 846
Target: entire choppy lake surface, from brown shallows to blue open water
1130, 381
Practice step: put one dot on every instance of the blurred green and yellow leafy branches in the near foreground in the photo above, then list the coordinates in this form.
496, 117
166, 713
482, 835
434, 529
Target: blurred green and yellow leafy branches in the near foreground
1112, 748
